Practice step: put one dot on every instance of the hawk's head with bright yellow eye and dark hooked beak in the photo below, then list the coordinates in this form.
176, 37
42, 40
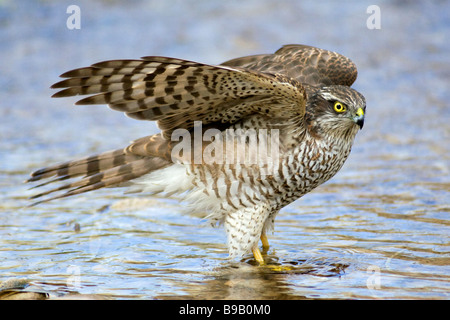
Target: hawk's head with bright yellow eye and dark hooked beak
336, 110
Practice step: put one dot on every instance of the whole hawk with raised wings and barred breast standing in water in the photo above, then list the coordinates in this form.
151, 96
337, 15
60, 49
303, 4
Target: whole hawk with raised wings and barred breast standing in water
239, 140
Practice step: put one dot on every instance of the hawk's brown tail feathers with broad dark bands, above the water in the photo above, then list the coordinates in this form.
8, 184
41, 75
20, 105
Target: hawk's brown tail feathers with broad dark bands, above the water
108, 169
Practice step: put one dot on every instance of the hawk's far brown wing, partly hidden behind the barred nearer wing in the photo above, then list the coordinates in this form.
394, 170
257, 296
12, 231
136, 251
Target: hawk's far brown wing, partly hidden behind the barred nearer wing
306, 64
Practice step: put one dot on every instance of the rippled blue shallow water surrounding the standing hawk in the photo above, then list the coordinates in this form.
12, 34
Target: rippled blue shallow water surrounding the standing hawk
379, 229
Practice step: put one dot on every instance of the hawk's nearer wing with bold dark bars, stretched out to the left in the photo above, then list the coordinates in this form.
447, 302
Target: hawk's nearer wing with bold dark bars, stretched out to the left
177, 92
